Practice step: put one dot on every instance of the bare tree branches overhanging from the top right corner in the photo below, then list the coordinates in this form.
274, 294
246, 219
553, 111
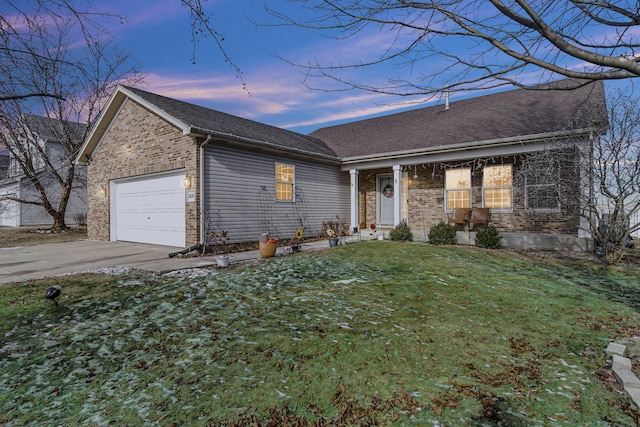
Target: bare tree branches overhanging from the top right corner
477, 44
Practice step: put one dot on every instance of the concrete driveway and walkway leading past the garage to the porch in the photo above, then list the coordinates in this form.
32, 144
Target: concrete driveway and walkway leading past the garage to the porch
36, 262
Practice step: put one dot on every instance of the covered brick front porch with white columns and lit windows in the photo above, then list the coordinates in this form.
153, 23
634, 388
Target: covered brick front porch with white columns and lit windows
427, 194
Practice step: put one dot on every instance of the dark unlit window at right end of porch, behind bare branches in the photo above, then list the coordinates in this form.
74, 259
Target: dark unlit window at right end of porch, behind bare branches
541, 186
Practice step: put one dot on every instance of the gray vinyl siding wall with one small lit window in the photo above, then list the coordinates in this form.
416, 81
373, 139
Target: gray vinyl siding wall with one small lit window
239, 195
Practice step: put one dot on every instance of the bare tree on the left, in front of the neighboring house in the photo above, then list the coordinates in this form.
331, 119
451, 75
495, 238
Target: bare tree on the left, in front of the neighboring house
54, 62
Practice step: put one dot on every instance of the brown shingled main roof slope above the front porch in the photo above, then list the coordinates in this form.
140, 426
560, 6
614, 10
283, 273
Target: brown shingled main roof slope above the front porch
509, 114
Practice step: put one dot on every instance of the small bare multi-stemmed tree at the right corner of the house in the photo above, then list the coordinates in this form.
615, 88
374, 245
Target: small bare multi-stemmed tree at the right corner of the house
600, 178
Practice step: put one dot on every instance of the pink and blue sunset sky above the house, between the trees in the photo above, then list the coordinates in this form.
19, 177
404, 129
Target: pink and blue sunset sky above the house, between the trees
157, 34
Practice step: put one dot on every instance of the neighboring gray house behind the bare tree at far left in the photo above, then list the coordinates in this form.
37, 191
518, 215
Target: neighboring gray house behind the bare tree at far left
40, 131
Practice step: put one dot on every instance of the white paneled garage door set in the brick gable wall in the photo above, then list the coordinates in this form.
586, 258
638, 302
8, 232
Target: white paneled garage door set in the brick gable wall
150, 210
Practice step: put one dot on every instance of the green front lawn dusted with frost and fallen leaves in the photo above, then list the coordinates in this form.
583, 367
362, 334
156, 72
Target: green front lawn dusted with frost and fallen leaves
376, 333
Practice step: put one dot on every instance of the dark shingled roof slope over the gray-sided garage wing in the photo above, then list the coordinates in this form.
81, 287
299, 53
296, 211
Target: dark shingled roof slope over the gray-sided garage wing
207, 121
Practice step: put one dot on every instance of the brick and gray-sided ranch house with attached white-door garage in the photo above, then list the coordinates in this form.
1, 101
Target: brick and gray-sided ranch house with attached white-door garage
167, 172
